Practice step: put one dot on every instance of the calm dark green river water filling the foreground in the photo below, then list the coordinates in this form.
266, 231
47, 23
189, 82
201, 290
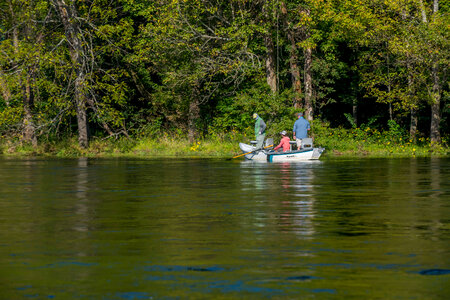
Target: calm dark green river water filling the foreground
218, 229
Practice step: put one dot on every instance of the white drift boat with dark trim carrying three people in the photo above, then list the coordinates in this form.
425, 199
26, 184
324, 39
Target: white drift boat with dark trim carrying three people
307, 152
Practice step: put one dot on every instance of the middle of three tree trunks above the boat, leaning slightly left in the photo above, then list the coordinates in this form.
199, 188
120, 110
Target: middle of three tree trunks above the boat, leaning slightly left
293, 59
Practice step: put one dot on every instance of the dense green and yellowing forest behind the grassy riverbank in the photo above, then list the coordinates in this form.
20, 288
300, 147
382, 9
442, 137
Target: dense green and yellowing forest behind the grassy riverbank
197, 68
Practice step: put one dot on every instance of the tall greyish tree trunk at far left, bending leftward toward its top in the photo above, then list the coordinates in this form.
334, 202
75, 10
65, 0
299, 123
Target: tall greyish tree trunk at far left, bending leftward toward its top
68, 15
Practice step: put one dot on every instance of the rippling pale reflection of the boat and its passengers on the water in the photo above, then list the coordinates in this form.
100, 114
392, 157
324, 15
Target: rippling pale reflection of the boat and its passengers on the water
288, 189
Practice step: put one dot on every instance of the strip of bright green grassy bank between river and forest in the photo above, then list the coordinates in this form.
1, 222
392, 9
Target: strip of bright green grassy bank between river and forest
358, 142
